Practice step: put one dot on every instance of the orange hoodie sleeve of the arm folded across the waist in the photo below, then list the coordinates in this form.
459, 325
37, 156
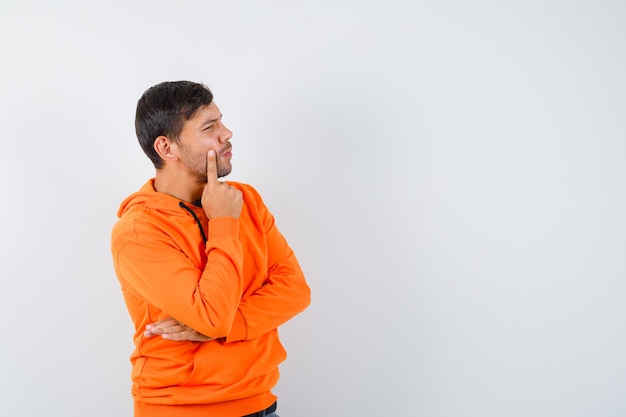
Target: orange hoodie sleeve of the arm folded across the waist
284, 292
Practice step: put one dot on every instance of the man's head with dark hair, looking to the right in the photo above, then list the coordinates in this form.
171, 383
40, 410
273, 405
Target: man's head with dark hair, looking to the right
179, 121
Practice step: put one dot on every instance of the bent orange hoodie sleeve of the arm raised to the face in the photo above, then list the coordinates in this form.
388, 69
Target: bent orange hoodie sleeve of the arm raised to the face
151, 267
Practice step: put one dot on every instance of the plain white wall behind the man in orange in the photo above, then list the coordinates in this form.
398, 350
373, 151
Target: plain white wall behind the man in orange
451, 175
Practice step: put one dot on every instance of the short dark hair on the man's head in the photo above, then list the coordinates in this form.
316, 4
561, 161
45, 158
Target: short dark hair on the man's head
163, 109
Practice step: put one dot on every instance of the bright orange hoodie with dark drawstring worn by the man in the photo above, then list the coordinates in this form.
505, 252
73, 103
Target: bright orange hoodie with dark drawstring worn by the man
237, 287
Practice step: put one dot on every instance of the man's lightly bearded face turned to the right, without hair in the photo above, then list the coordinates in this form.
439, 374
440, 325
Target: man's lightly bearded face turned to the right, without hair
202, 132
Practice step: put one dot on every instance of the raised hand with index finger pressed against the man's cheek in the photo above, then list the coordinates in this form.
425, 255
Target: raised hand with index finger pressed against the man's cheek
218, 198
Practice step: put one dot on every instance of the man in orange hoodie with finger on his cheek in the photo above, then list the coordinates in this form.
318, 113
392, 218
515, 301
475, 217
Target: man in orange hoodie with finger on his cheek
206, 275
